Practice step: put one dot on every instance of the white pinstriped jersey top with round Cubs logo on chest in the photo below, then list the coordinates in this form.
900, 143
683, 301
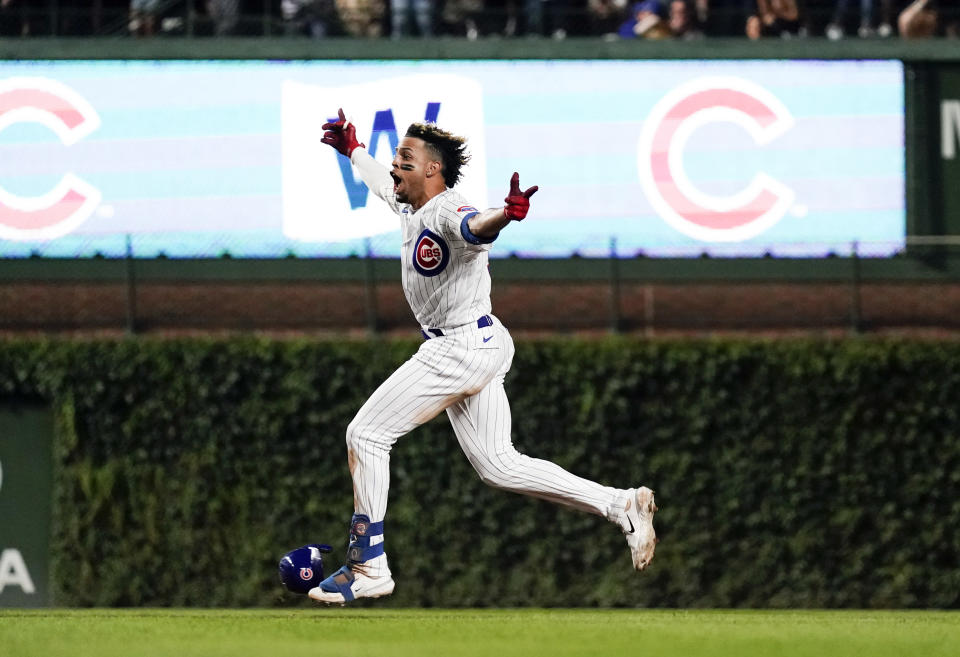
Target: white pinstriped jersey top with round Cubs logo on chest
445, 275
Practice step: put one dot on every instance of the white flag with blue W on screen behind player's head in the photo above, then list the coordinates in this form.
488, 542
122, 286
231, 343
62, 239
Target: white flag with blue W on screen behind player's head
324, 199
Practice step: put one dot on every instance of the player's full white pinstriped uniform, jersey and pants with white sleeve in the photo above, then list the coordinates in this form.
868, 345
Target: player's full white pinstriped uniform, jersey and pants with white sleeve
462, 371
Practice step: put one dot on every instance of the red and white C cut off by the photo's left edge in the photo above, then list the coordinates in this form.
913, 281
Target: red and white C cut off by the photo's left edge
71, 118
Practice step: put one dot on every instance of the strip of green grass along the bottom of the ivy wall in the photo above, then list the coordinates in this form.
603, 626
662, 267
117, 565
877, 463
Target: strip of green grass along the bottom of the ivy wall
491, 633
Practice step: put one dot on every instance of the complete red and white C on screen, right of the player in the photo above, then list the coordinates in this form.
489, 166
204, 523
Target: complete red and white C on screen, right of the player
665, 132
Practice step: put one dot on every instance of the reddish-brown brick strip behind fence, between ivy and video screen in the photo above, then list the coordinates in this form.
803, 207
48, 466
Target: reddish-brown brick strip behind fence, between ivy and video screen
523, 306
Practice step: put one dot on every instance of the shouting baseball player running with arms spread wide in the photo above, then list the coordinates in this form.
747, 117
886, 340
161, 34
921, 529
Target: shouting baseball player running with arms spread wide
461, 365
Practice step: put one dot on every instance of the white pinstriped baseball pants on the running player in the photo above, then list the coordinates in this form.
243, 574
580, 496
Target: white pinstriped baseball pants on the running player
463, 374
